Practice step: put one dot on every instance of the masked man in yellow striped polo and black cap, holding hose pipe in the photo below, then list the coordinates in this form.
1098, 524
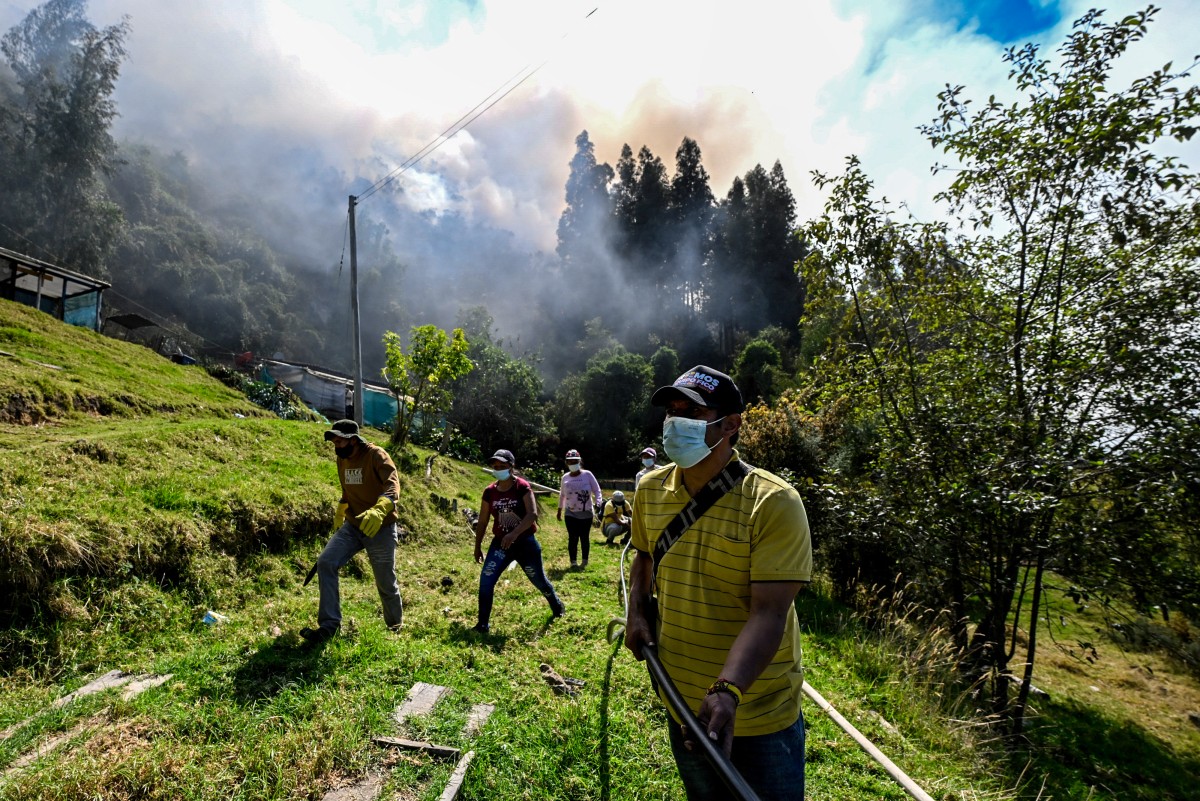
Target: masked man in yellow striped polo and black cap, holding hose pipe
727, 628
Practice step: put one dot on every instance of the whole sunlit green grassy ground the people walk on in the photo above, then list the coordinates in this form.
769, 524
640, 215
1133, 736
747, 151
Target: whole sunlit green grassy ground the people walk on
139, 495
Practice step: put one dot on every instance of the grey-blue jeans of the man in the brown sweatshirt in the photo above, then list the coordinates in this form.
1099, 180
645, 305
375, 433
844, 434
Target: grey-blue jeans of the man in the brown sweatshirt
340, 550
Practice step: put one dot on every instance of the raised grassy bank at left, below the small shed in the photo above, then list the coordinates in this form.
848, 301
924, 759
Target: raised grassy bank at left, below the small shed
118, 467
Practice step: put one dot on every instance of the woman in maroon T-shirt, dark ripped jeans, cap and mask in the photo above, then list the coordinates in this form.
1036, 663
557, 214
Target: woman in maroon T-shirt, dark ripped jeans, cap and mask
513, 511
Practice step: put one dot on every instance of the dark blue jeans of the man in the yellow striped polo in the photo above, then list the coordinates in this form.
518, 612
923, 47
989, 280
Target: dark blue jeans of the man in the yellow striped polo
773, 764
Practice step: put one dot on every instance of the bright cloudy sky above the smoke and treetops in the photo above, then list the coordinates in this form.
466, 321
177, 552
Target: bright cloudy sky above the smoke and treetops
362, 86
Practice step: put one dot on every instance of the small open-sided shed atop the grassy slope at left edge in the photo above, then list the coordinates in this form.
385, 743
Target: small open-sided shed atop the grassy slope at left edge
70, 297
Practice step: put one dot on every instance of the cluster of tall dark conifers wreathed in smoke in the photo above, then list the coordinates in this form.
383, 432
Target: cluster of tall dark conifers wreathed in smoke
716, 274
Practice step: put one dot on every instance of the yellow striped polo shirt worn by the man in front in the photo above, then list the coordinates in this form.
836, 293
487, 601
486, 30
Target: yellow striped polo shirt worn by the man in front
758, 532
